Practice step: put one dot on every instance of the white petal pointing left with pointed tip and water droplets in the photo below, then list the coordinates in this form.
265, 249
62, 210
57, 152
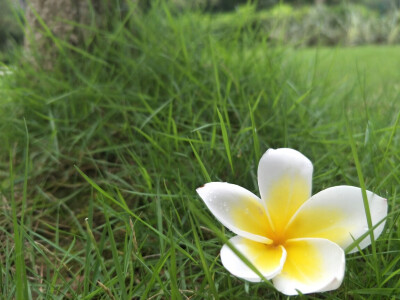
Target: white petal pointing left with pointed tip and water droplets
237, 209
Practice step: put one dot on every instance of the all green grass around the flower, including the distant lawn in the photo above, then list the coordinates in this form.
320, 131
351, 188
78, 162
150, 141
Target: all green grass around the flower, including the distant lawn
120, 138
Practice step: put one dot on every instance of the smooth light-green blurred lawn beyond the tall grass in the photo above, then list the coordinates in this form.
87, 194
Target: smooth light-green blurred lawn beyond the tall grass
372, 68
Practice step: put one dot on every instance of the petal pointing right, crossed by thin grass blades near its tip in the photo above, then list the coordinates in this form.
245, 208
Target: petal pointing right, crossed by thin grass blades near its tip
338, 214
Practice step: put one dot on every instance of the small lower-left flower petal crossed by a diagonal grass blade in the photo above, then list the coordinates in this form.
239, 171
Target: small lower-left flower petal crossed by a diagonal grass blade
268, 259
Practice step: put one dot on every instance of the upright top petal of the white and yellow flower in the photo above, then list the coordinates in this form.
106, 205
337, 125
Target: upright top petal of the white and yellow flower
284, 180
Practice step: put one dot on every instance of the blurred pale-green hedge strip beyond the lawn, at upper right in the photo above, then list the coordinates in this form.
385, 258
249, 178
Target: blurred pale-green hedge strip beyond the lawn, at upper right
319, 25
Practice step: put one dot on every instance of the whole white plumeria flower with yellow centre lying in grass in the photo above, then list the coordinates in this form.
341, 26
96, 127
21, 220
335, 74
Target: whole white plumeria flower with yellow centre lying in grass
294, 239
